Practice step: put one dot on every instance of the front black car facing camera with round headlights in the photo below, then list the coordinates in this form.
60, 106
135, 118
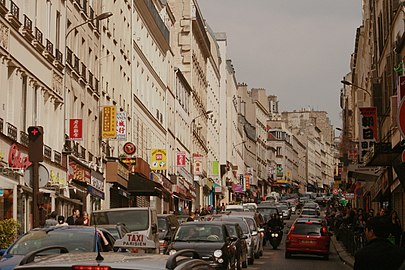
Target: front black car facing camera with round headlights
210, 239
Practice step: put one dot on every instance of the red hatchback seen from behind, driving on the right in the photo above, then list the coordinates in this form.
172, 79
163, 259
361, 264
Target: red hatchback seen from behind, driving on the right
308, 236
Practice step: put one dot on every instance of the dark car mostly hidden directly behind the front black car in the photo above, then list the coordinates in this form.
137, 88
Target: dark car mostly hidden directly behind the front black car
235, 231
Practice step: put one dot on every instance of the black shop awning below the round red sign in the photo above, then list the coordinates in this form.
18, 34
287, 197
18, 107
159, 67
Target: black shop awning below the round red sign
140, 185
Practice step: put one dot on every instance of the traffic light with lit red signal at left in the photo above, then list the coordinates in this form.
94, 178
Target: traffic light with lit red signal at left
35, 144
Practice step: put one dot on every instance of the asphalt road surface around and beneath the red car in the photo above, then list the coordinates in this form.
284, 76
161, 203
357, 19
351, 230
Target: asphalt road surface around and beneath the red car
274, 259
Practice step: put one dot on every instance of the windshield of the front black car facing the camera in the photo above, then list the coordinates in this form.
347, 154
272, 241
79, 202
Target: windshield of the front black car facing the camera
200, 233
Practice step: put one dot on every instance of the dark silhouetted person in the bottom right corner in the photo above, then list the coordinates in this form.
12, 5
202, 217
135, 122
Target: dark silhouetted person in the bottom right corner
379, 252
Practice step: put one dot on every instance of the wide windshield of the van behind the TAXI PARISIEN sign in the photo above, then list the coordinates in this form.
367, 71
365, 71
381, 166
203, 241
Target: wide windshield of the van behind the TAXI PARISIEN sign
135, 220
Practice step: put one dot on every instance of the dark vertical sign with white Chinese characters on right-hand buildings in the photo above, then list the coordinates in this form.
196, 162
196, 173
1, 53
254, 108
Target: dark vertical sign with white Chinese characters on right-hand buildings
368, 130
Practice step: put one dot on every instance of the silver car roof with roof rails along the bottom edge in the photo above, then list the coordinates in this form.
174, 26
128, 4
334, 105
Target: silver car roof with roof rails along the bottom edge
182, 260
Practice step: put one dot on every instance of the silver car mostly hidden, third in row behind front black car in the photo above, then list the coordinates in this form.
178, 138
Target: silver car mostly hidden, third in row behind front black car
246, 232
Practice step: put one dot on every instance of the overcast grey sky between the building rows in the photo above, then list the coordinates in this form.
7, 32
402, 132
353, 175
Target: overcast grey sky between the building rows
299, 50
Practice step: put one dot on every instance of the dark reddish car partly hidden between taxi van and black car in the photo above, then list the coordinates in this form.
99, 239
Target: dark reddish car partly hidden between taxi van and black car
167, 226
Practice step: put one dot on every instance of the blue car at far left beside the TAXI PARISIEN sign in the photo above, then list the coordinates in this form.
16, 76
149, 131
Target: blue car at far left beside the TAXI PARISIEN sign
76, 239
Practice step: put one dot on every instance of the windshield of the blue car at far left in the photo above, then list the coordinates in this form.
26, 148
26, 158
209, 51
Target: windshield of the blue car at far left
73, 240
